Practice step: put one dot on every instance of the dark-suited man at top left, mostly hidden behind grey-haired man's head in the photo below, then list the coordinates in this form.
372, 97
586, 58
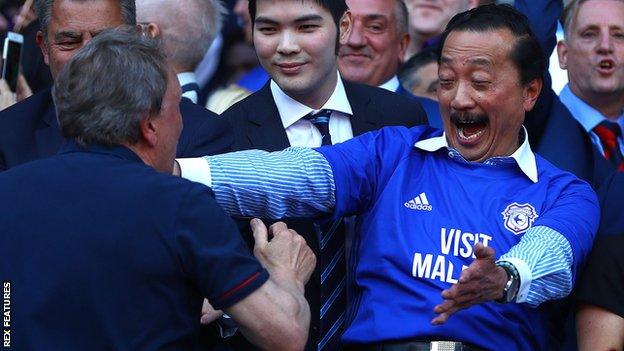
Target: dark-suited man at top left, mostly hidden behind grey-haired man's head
29, 129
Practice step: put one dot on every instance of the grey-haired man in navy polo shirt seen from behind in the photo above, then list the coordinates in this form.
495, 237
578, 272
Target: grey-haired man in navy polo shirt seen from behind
142, 248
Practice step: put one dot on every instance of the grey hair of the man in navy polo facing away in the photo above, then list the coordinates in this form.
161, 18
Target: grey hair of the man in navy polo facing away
135, 74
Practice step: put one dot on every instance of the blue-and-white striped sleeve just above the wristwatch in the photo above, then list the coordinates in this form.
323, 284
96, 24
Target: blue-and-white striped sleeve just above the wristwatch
544, 259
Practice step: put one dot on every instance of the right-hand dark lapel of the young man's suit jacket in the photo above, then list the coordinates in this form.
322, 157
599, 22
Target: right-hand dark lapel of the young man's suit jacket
365, 115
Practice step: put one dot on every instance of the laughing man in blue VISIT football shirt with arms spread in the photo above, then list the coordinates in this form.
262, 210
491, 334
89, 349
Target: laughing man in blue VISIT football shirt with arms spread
469, 222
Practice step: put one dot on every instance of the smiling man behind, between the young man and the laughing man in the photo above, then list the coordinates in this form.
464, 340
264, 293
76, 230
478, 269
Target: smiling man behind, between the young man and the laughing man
374, 49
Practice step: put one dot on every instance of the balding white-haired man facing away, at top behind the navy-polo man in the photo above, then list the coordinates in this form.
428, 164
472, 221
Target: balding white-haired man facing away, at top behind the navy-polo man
186, 30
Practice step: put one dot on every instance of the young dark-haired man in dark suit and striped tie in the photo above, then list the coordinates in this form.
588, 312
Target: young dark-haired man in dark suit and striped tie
306, 103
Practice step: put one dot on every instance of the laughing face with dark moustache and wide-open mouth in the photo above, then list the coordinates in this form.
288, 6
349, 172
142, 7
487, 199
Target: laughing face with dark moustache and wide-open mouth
481, 96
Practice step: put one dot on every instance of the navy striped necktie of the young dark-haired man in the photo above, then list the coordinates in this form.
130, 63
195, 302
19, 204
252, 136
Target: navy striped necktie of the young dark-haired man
331, 261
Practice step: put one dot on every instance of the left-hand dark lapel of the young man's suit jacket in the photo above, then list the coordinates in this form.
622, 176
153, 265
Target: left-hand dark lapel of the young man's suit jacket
265, 129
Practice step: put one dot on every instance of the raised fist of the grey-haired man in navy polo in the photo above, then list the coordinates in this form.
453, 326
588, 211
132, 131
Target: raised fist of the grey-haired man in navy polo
286, 256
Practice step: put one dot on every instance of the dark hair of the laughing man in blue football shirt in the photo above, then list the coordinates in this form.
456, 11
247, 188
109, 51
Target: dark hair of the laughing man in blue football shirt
526, 54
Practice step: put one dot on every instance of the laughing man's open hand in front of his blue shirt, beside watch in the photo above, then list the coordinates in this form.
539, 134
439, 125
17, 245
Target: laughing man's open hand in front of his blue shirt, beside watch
482, 281
